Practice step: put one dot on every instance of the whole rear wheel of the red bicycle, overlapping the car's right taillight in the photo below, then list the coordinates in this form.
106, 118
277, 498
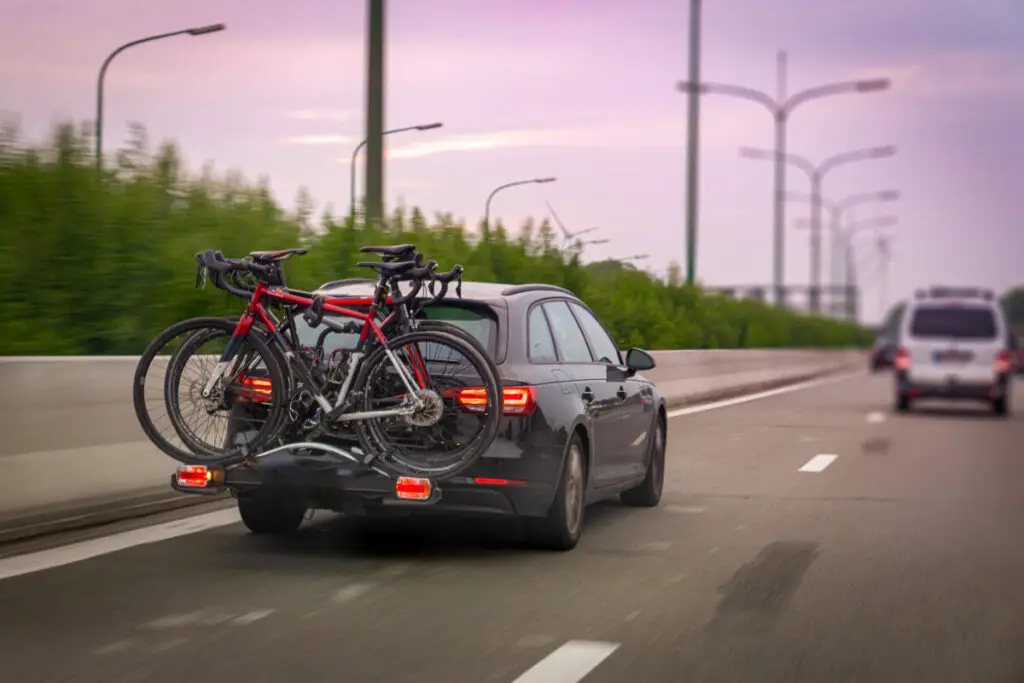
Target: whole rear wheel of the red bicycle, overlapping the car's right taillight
461, 411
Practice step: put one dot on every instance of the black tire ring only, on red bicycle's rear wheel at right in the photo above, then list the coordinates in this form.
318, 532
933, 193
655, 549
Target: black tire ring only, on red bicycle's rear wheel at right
368, 432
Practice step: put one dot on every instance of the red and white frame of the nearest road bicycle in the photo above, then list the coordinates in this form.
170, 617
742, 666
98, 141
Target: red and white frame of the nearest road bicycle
371, 332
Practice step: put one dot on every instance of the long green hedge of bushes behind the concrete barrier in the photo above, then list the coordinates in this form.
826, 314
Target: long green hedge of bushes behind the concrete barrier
99, 265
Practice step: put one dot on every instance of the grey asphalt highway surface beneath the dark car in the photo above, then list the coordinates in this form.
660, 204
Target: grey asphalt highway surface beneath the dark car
900, 560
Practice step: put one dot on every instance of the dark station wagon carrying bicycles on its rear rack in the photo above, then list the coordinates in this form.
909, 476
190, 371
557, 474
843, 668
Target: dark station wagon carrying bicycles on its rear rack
581, 424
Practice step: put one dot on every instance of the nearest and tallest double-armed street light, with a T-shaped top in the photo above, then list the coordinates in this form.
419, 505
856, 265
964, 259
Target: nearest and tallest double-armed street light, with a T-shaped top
781, 108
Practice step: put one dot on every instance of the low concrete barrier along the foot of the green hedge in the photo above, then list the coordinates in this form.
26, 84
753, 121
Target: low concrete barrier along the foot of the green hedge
70, 438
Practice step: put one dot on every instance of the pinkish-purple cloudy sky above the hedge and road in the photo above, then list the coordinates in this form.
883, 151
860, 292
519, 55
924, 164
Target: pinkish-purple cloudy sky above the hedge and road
582, 91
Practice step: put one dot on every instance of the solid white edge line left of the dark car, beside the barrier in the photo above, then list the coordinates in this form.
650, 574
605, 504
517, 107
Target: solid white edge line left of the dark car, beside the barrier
55, 558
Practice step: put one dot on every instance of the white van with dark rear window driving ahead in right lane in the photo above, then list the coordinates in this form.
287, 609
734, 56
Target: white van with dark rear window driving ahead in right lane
953, 345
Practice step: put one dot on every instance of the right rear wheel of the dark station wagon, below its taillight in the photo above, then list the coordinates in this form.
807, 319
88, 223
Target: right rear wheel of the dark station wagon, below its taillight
562, 528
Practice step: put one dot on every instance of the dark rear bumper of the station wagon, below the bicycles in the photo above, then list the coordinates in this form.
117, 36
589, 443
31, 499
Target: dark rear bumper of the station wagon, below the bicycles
491, 490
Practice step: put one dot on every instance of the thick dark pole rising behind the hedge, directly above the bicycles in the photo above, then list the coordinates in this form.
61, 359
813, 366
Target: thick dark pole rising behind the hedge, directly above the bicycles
375, 113
